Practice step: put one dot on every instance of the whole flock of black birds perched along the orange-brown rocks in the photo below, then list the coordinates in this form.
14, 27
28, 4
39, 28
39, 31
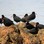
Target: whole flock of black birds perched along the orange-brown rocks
34, 30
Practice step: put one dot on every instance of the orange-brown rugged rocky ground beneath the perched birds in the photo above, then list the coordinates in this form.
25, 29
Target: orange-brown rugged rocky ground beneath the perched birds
8, 35
